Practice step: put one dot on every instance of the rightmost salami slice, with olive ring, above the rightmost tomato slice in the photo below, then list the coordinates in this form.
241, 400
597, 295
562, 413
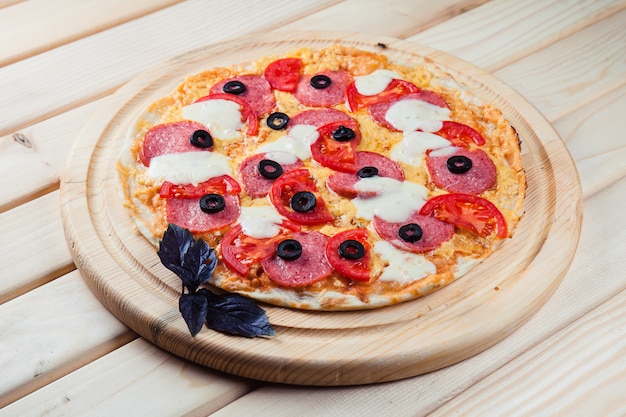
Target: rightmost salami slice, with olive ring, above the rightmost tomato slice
460, 170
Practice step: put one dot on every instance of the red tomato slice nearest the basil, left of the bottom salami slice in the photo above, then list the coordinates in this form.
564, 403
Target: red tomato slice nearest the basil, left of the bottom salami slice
240, 251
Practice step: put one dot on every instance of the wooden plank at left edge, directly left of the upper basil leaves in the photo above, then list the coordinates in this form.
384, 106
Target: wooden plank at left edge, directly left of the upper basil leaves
32, 232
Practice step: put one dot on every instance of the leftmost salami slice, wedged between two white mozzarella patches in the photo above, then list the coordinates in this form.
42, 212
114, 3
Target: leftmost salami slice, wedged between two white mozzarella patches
169, 138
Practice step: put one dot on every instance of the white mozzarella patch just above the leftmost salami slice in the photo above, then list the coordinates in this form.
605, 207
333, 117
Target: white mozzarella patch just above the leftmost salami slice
222, 117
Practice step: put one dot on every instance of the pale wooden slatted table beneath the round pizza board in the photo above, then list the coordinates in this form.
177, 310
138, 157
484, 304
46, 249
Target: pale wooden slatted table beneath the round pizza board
63, 353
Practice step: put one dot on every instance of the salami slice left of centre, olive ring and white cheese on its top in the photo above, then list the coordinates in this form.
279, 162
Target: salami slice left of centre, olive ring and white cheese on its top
258, 172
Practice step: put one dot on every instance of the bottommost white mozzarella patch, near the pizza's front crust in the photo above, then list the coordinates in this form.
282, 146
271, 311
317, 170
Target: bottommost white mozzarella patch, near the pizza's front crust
403, 267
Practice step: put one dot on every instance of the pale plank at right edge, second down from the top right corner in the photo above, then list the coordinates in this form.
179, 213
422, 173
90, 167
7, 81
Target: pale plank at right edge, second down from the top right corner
577, 70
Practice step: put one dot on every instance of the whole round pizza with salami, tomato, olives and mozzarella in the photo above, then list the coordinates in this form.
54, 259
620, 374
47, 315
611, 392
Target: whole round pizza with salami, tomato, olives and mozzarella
327, 179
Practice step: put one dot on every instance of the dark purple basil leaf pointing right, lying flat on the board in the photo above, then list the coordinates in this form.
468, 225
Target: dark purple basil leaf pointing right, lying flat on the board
236, 315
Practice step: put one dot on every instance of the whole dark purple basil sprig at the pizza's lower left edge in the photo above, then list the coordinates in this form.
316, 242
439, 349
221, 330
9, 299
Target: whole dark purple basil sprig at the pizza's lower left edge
193, 261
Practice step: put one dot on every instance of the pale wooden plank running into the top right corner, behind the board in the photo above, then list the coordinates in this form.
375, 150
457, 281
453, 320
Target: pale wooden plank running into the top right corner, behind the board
504, 31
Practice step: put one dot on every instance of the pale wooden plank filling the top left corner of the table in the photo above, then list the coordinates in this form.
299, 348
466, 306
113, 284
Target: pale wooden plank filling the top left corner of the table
34, 26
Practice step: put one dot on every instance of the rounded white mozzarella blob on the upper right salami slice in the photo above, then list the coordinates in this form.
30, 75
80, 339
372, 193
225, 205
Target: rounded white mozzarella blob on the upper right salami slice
412, 114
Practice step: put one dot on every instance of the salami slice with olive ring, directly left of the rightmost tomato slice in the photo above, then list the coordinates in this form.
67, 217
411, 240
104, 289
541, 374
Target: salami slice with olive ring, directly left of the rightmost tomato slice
418, 234
